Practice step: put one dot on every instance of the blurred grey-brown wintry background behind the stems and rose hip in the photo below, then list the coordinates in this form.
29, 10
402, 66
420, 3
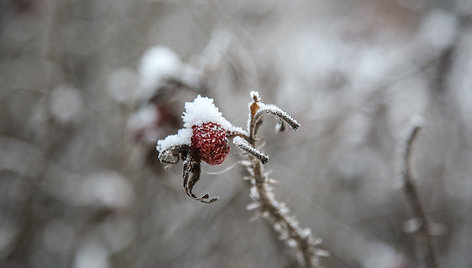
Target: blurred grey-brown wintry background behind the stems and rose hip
87, 87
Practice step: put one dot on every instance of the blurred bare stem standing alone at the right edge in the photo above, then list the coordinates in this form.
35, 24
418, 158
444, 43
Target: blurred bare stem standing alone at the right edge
412, 195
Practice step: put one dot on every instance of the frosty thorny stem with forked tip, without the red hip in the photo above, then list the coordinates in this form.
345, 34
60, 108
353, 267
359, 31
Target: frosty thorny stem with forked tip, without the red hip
274, 211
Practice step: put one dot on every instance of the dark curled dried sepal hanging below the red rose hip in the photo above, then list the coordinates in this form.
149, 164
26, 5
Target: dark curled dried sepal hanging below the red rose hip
191, 174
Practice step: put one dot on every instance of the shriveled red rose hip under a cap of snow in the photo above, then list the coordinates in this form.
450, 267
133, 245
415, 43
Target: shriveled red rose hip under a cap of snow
209, 143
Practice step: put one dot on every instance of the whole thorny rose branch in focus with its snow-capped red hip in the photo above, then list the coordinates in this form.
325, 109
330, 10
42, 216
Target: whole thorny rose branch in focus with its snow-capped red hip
207, 139
